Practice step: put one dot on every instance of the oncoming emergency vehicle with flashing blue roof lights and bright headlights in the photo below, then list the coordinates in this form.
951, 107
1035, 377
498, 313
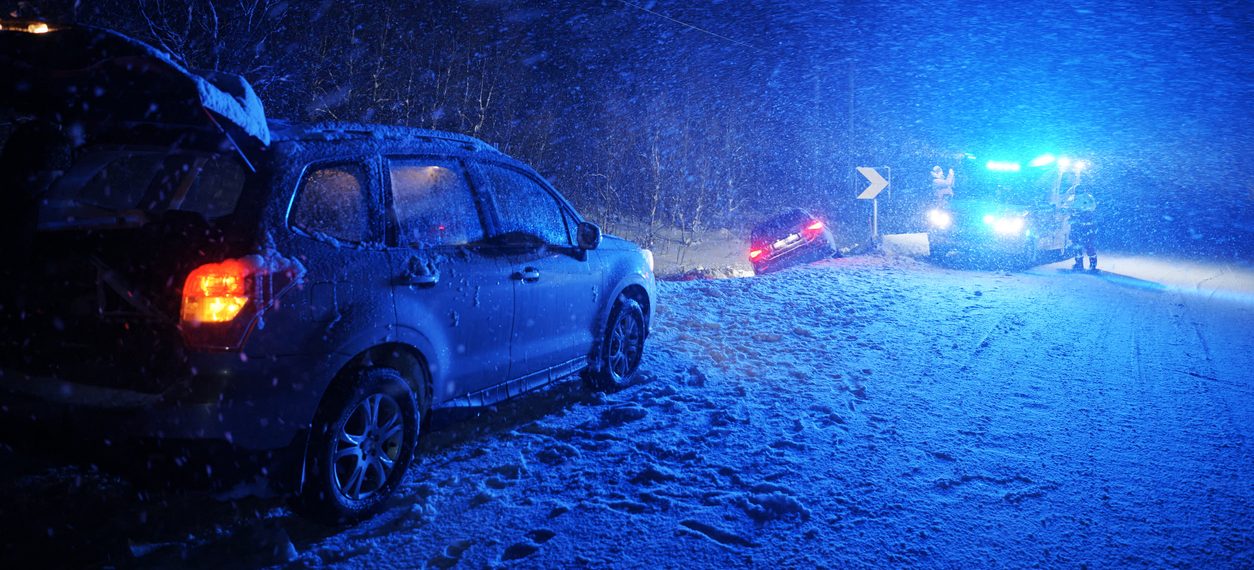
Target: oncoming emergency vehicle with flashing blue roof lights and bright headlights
1008, 210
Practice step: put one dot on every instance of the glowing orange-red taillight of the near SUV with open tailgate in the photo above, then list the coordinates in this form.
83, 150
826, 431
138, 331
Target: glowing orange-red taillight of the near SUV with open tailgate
223, 303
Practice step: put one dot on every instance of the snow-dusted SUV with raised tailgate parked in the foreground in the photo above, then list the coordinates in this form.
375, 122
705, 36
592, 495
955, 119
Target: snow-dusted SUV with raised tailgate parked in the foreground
182, 270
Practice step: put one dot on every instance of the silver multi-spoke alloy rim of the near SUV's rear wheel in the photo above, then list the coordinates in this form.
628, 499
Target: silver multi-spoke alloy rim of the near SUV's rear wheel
368, 447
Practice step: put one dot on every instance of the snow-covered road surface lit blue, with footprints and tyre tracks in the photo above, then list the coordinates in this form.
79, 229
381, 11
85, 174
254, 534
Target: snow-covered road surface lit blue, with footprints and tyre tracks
855, 414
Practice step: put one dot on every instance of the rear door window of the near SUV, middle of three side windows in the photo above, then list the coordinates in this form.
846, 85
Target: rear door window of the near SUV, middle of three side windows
433, 204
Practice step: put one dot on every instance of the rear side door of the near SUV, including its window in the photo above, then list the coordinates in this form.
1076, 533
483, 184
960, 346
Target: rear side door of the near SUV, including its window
451, 285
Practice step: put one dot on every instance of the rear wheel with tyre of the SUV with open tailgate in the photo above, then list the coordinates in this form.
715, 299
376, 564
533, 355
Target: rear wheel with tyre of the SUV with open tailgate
362, 445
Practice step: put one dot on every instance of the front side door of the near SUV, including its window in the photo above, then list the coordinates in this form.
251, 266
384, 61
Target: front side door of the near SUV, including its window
557, 288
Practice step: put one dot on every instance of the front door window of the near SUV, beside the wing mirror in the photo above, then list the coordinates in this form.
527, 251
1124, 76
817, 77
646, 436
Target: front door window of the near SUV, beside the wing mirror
526, 207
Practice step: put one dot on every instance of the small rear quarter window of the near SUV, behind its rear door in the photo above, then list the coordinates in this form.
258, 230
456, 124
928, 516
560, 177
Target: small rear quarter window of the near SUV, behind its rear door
334, 201
